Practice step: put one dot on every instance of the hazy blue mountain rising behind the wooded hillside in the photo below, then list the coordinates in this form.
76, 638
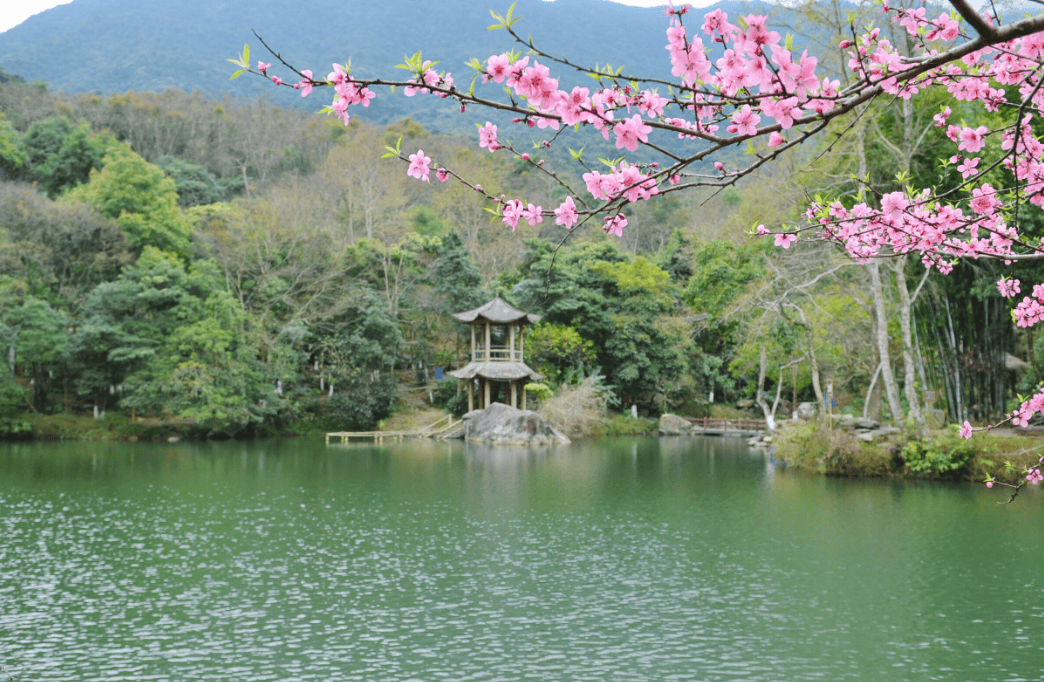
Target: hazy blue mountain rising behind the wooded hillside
113, 46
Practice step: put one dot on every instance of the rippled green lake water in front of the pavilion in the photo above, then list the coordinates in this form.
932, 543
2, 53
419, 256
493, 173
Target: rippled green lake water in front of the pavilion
619, 560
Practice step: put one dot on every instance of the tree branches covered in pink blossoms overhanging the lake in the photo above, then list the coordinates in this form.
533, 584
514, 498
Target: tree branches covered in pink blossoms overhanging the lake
762, 79
